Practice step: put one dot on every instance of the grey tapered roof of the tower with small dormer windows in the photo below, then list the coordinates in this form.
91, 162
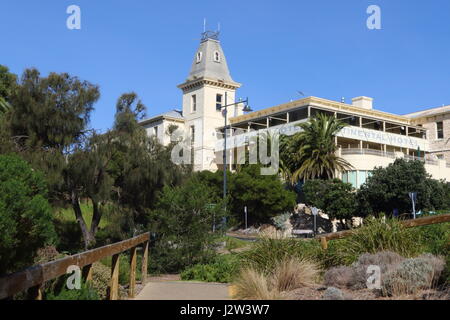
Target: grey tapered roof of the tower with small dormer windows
209, 61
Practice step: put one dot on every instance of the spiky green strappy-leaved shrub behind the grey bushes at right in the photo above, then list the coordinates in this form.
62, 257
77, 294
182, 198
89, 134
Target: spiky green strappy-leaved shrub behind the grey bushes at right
377, 235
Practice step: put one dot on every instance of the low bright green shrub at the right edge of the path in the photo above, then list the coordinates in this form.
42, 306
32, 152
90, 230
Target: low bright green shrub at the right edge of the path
223, 270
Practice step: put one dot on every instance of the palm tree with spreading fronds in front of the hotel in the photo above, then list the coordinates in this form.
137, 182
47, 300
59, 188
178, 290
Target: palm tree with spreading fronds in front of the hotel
311, 154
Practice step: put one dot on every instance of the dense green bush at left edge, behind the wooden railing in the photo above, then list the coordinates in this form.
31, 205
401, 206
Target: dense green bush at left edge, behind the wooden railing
25, 214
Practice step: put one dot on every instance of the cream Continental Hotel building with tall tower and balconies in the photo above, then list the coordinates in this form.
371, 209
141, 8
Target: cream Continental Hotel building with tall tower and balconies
372, 138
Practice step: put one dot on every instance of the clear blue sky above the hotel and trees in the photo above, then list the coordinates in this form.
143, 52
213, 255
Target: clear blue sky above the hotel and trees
275, 48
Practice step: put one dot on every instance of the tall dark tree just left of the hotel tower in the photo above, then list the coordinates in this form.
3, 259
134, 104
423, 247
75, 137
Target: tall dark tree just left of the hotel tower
140, 164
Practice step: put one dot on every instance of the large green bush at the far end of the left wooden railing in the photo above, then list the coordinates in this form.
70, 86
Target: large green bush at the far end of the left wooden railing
182, 225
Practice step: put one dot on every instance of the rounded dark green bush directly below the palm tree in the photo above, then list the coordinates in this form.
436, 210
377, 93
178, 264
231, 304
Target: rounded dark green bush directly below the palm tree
334, 197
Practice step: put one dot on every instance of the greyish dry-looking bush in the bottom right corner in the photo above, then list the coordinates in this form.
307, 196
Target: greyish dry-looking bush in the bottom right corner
412, 275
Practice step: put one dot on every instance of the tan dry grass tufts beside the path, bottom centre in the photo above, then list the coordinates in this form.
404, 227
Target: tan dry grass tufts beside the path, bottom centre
287, 275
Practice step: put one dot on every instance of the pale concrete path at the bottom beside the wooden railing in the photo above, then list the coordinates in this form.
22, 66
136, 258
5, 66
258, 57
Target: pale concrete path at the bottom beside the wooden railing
179, 290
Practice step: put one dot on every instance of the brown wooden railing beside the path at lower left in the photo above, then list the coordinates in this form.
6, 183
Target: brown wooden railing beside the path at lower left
32, 279
